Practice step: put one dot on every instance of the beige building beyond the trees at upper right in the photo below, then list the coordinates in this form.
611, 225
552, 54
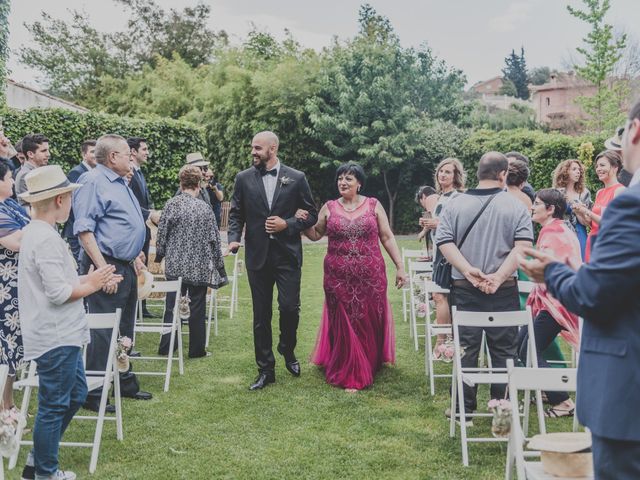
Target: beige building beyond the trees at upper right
555, 101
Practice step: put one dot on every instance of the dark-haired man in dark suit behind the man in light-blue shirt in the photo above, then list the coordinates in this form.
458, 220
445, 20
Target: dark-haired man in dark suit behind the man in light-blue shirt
140, 156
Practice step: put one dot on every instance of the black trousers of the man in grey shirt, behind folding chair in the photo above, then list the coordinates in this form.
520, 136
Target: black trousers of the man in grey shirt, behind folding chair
500, 340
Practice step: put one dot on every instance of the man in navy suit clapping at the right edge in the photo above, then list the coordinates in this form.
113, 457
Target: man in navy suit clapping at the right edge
606, 293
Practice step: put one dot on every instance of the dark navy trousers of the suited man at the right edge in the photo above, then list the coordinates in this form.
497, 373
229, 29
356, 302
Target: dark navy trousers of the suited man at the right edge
615, 459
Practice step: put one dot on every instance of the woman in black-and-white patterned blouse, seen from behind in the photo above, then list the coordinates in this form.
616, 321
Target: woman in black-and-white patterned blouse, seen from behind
189, 241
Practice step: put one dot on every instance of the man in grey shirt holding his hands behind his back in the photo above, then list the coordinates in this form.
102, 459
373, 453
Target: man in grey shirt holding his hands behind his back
484, 268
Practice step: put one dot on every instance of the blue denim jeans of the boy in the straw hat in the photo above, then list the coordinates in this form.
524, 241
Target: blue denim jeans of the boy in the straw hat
62, 391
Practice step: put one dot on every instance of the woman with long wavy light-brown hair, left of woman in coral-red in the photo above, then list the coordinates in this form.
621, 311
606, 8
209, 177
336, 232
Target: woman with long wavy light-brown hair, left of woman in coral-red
569, 178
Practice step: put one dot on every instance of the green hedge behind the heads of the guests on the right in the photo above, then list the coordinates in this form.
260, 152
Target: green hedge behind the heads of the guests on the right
545, 151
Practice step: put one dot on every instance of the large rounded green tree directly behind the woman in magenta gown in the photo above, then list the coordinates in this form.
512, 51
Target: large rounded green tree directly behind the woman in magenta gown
377, 104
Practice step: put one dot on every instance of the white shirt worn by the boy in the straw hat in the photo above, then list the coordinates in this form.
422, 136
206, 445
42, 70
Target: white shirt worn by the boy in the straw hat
46, 276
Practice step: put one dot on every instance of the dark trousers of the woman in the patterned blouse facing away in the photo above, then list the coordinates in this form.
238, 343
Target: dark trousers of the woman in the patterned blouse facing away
197, 320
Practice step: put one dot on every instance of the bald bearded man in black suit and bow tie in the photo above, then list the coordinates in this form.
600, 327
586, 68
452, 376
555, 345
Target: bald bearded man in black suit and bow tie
265, 200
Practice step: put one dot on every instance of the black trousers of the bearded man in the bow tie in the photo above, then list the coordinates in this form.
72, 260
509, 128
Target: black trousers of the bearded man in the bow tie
281, 269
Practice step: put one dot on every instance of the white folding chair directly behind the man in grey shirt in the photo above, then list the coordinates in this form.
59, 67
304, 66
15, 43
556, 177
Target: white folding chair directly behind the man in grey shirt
486, 375
